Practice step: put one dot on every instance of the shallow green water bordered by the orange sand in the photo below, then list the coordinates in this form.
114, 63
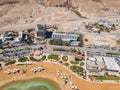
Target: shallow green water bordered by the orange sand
32, 84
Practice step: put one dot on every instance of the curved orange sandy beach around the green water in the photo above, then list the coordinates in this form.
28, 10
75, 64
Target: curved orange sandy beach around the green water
50, 72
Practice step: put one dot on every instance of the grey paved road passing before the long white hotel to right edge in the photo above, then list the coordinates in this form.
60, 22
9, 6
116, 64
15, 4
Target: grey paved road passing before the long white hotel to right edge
90, 51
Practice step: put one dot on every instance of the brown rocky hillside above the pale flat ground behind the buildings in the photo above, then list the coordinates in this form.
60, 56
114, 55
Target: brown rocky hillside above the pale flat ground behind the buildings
14, 12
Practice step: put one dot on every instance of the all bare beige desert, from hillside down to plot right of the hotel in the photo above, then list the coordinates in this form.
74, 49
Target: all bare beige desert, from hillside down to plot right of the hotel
23, 14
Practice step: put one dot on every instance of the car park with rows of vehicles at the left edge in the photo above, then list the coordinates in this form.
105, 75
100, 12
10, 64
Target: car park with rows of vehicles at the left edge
14, 51
